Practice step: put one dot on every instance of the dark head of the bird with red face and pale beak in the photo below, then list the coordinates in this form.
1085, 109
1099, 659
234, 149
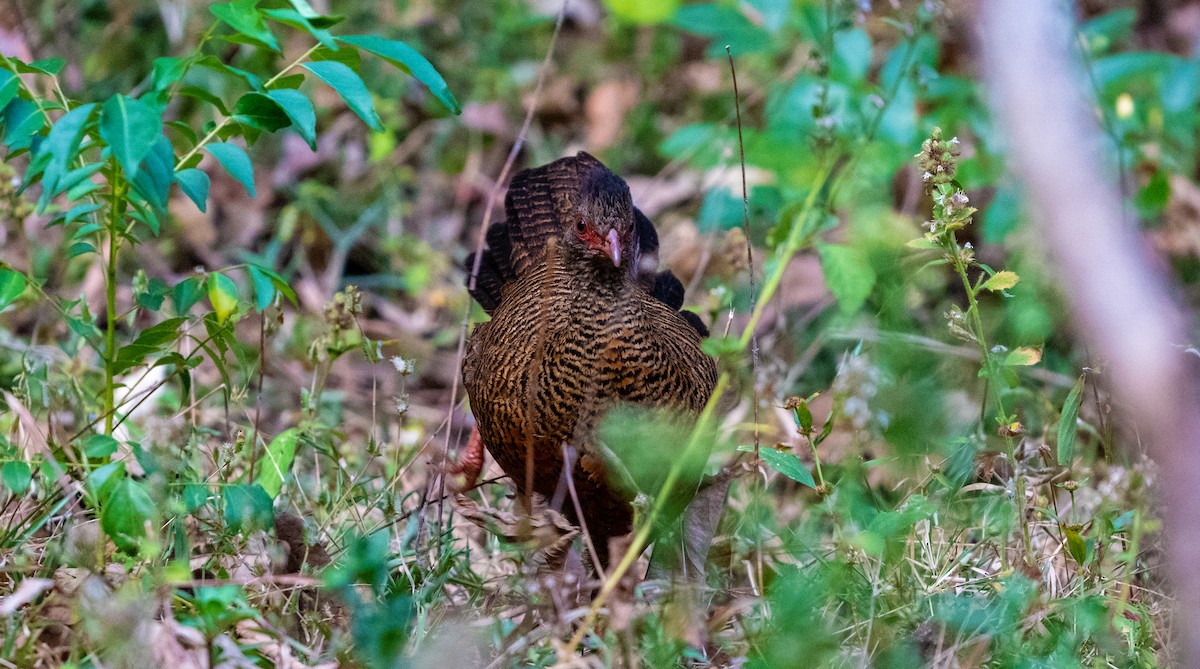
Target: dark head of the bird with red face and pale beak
604, 230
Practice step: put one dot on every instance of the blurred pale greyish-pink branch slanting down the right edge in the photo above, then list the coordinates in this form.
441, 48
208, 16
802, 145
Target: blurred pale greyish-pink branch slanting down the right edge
1119, 300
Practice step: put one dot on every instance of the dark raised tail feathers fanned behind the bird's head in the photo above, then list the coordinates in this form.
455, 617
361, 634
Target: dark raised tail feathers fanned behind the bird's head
537, 207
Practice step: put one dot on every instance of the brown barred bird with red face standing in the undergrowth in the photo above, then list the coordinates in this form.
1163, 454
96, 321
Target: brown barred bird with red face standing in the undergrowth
583, 322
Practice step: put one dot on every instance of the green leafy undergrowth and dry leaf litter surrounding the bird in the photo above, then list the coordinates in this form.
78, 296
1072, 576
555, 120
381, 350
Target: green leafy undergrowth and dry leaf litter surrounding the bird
231, 329
